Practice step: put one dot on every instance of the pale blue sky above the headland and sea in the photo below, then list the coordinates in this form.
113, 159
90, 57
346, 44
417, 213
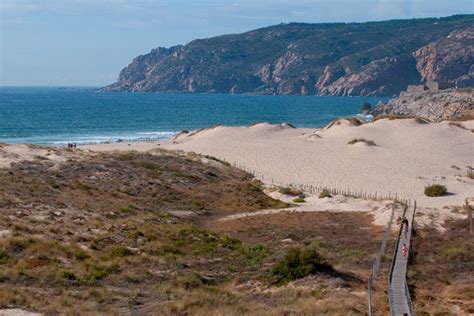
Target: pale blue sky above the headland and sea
88, 42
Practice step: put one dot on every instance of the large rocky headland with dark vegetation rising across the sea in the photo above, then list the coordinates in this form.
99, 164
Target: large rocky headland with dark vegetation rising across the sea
377, 58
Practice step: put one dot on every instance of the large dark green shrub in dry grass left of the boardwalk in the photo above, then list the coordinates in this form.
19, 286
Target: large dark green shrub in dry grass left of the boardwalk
298, 264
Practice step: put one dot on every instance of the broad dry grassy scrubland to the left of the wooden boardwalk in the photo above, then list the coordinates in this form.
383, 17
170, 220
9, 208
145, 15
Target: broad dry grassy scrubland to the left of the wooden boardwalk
95, 236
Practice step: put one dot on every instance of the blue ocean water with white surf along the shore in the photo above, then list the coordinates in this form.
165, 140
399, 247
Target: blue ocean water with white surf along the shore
55, 116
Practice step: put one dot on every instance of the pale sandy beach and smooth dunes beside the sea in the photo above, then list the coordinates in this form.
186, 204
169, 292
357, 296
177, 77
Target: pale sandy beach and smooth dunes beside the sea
406, 157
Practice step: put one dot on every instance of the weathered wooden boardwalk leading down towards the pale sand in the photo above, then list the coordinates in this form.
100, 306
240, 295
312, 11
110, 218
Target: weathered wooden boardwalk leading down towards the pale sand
399, 295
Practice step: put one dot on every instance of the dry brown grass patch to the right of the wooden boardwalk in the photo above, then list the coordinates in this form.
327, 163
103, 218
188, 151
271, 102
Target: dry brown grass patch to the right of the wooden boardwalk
441, 272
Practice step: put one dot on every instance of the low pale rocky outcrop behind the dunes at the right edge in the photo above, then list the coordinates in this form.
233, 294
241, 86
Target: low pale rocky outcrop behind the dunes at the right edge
451, 104
